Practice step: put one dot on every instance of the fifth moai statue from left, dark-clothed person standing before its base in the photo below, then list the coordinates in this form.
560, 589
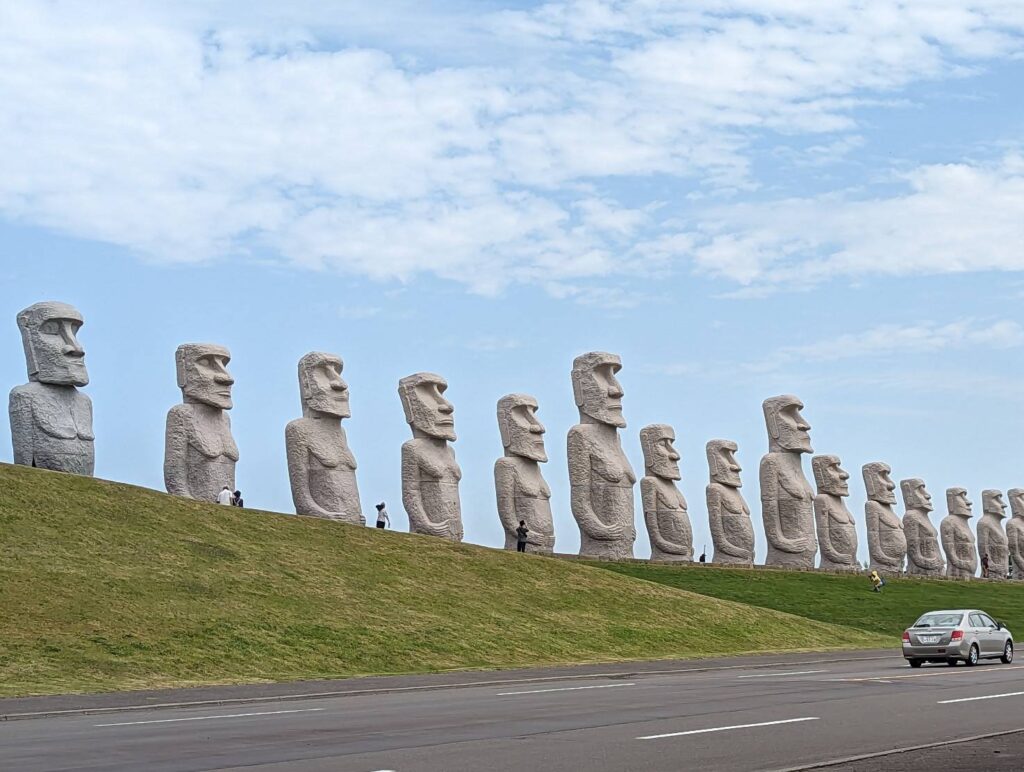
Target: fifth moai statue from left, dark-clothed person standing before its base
520, 485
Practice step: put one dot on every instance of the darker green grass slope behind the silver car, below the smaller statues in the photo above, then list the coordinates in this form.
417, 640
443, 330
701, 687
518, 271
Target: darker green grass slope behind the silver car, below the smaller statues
838, 599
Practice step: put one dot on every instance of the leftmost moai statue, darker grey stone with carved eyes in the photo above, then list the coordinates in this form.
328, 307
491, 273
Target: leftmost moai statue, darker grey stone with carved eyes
51, 419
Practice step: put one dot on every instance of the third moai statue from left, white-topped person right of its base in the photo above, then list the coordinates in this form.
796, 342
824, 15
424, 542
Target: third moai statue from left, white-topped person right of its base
321, 467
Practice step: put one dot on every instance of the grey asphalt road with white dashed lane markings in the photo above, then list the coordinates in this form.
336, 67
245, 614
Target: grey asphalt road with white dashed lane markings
744, 716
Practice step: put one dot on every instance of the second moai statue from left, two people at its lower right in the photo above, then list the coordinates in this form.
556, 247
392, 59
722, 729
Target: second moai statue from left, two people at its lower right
199, 451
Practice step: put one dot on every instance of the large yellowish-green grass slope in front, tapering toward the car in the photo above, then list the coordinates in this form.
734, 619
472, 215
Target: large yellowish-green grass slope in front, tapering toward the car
106, 586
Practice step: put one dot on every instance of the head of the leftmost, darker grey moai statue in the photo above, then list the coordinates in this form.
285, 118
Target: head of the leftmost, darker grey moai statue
50, 334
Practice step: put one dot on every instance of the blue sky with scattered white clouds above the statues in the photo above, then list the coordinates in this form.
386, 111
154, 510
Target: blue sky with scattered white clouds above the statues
742, 199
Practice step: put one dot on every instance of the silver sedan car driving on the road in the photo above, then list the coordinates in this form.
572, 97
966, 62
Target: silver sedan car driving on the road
967, 634
